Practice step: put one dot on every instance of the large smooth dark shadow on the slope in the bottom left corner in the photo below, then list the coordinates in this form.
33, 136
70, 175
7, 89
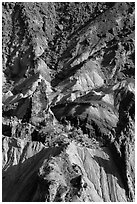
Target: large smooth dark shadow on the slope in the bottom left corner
20, 181
